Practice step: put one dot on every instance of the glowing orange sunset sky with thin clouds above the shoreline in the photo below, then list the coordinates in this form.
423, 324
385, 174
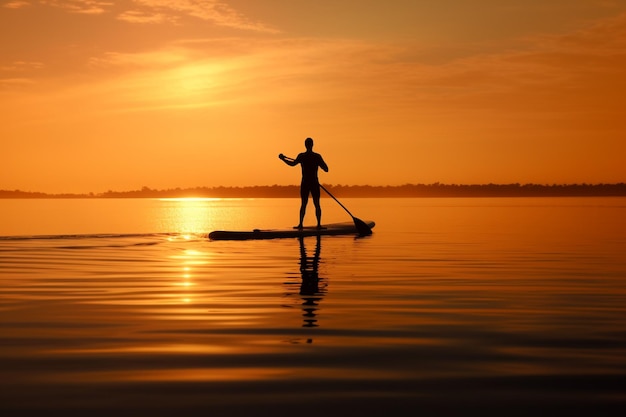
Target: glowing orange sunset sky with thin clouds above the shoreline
98, 95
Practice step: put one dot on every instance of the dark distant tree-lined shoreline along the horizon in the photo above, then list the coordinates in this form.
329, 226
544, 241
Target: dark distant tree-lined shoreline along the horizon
351, 191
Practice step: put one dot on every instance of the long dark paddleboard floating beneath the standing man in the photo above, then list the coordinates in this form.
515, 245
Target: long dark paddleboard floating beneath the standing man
346, 228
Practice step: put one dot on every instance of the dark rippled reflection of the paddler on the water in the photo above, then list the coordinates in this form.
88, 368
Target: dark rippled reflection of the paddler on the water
309, 288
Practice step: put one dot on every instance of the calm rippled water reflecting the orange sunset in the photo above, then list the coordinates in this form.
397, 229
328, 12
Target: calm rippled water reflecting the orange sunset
452, 307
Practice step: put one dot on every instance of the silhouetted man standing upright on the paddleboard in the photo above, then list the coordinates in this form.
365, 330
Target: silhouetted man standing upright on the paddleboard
309, 161
